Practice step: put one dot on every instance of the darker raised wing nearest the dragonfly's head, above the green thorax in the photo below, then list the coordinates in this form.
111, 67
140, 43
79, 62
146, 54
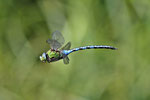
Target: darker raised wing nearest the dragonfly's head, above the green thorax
53, 44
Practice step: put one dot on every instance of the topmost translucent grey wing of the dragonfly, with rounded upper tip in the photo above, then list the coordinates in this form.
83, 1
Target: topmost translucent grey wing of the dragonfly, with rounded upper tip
58, 37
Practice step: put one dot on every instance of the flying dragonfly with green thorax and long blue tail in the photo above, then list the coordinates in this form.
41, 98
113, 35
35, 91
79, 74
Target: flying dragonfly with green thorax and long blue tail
57, 52
